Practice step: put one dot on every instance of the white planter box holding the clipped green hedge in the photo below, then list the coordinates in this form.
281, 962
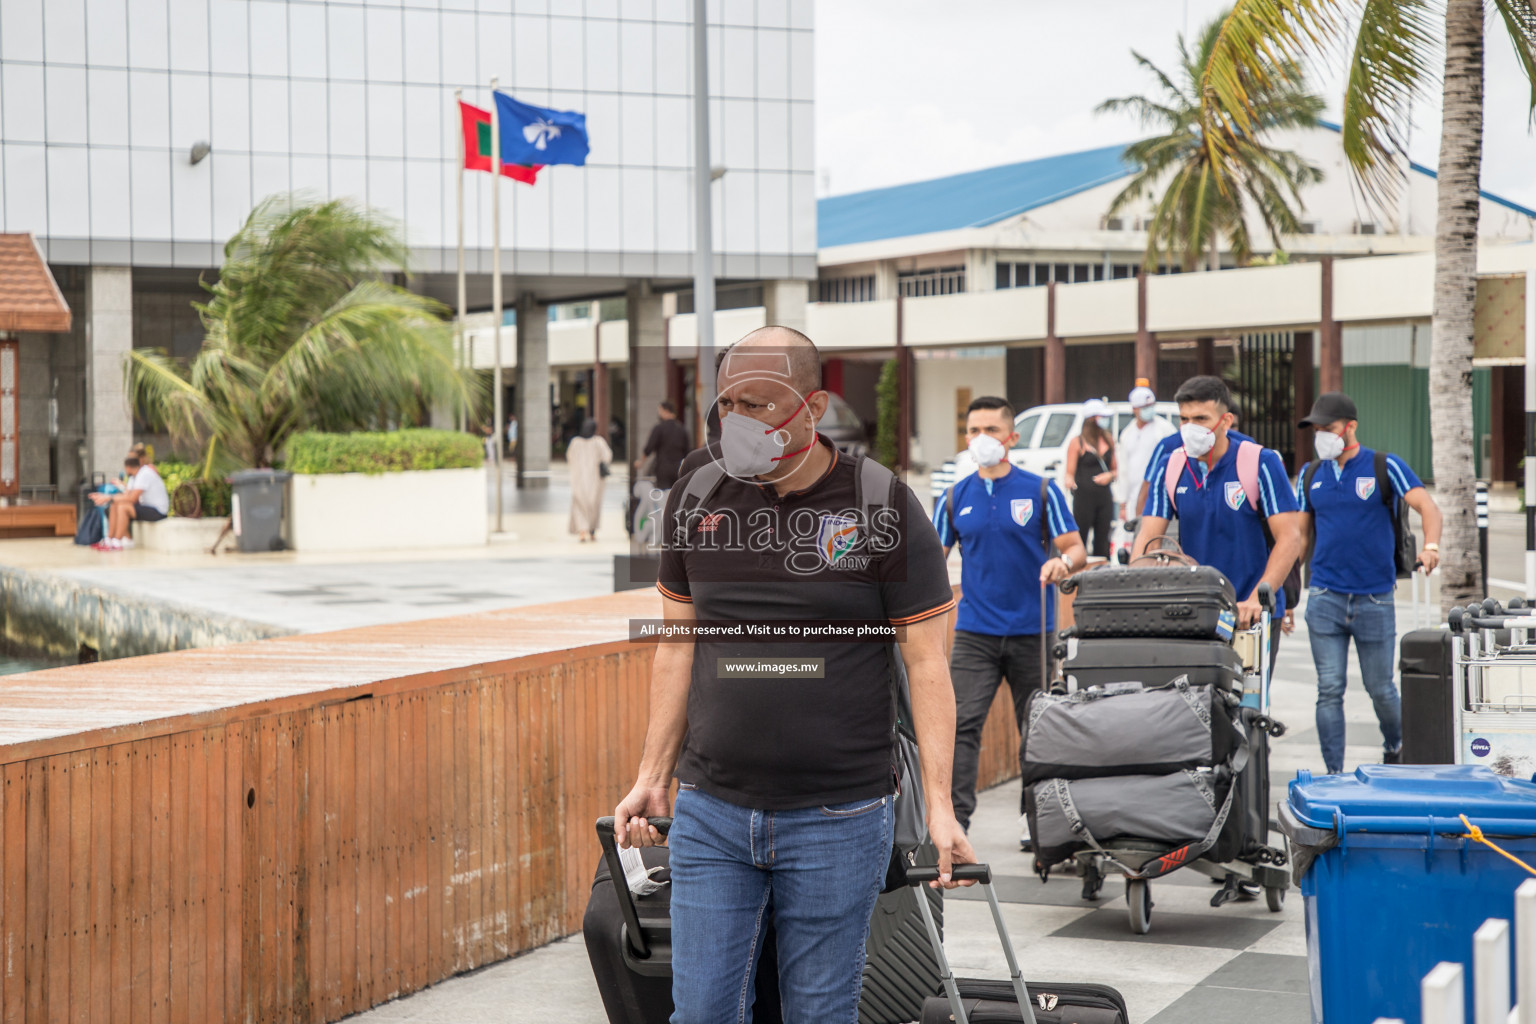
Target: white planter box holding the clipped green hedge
359, 512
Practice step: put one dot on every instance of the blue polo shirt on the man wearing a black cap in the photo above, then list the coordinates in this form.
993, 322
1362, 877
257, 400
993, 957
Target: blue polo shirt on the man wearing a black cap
1354, 553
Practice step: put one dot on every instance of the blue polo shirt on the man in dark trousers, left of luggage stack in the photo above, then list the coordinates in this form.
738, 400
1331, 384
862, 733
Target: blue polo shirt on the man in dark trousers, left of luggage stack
998, 524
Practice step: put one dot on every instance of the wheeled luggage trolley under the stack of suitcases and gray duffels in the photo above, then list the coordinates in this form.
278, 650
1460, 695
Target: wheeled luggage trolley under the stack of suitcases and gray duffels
1259, 867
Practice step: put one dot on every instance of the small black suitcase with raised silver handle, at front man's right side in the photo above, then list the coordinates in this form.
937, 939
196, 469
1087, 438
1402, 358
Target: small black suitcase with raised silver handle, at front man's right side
1013, 1002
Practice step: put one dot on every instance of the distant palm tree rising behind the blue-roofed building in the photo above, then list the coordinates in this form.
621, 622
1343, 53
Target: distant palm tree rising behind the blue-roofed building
1203, 194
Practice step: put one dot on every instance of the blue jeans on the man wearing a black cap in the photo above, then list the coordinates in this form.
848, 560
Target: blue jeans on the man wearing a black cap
1372, 621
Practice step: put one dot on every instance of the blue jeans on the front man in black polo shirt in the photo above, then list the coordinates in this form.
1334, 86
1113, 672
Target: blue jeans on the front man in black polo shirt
818, 871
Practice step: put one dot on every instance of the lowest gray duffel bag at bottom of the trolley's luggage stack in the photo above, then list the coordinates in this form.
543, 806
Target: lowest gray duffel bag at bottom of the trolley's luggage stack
1185, 808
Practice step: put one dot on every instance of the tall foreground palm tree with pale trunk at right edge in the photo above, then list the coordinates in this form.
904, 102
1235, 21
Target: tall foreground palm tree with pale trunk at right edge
1391, 61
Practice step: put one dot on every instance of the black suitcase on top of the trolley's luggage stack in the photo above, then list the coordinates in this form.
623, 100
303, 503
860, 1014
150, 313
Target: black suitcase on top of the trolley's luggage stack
1190, 603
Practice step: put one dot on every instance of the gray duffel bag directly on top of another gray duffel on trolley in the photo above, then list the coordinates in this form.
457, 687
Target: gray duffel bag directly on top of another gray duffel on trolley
1130, 730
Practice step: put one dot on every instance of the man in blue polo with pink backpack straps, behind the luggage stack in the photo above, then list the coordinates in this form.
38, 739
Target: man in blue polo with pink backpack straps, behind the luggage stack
1222, 515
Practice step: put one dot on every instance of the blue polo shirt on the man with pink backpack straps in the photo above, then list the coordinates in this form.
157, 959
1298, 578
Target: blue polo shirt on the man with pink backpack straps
1217, 526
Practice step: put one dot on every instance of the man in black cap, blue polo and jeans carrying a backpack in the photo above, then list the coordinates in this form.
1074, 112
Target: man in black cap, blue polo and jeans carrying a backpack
1359, 503
